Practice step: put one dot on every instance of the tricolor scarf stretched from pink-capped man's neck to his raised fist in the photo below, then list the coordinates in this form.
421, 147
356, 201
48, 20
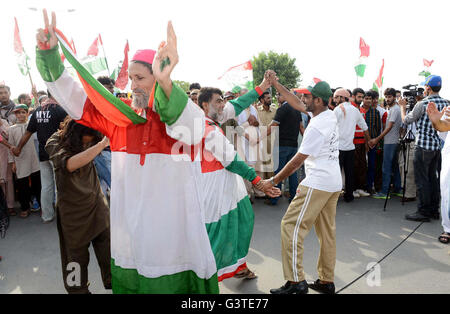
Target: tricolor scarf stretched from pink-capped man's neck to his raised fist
111, 107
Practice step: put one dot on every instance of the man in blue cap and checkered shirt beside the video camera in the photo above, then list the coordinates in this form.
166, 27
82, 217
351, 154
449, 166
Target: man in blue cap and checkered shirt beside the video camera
427, 151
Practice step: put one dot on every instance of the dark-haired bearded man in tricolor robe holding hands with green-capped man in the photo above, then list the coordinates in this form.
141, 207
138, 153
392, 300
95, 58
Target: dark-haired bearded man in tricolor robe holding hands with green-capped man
229, 215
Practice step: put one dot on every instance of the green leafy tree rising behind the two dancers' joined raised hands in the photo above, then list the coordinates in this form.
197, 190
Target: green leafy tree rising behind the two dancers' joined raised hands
282, 64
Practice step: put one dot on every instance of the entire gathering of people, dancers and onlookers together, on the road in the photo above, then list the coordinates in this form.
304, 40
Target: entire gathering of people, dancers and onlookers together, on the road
312, 146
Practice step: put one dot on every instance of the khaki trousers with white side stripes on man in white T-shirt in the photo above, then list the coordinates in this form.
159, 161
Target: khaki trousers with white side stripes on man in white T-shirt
309, 208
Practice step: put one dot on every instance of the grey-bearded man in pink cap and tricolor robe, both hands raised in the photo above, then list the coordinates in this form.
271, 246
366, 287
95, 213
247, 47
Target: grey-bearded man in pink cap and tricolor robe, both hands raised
159, 243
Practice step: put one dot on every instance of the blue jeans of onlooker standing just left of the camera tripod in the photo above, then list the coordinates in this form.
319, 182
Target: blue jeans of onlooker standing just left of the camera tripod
390, 168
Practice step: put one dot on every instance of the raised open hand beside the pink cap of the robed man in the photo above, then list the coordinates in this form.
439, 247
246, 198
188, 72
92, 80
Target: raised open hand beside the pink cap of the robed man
166, 58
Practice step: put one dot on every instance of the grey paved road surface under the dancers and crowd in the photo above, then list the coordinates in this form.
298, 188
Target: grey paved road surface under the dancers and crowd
365, 234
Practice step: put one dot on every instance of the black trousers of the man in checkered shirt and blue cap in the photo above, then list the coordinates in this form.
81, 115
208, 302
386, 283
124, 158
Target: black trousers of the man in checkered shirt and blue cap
426, 163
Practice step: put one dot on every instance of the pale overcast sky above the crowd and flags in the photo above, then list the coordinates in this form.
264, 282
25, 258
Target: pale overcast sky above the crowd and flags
323, 36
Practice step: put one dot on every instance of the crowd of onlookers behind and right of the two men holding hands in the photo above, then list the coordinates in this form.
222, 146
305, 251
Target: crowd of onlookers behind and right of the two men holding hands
377, 143
